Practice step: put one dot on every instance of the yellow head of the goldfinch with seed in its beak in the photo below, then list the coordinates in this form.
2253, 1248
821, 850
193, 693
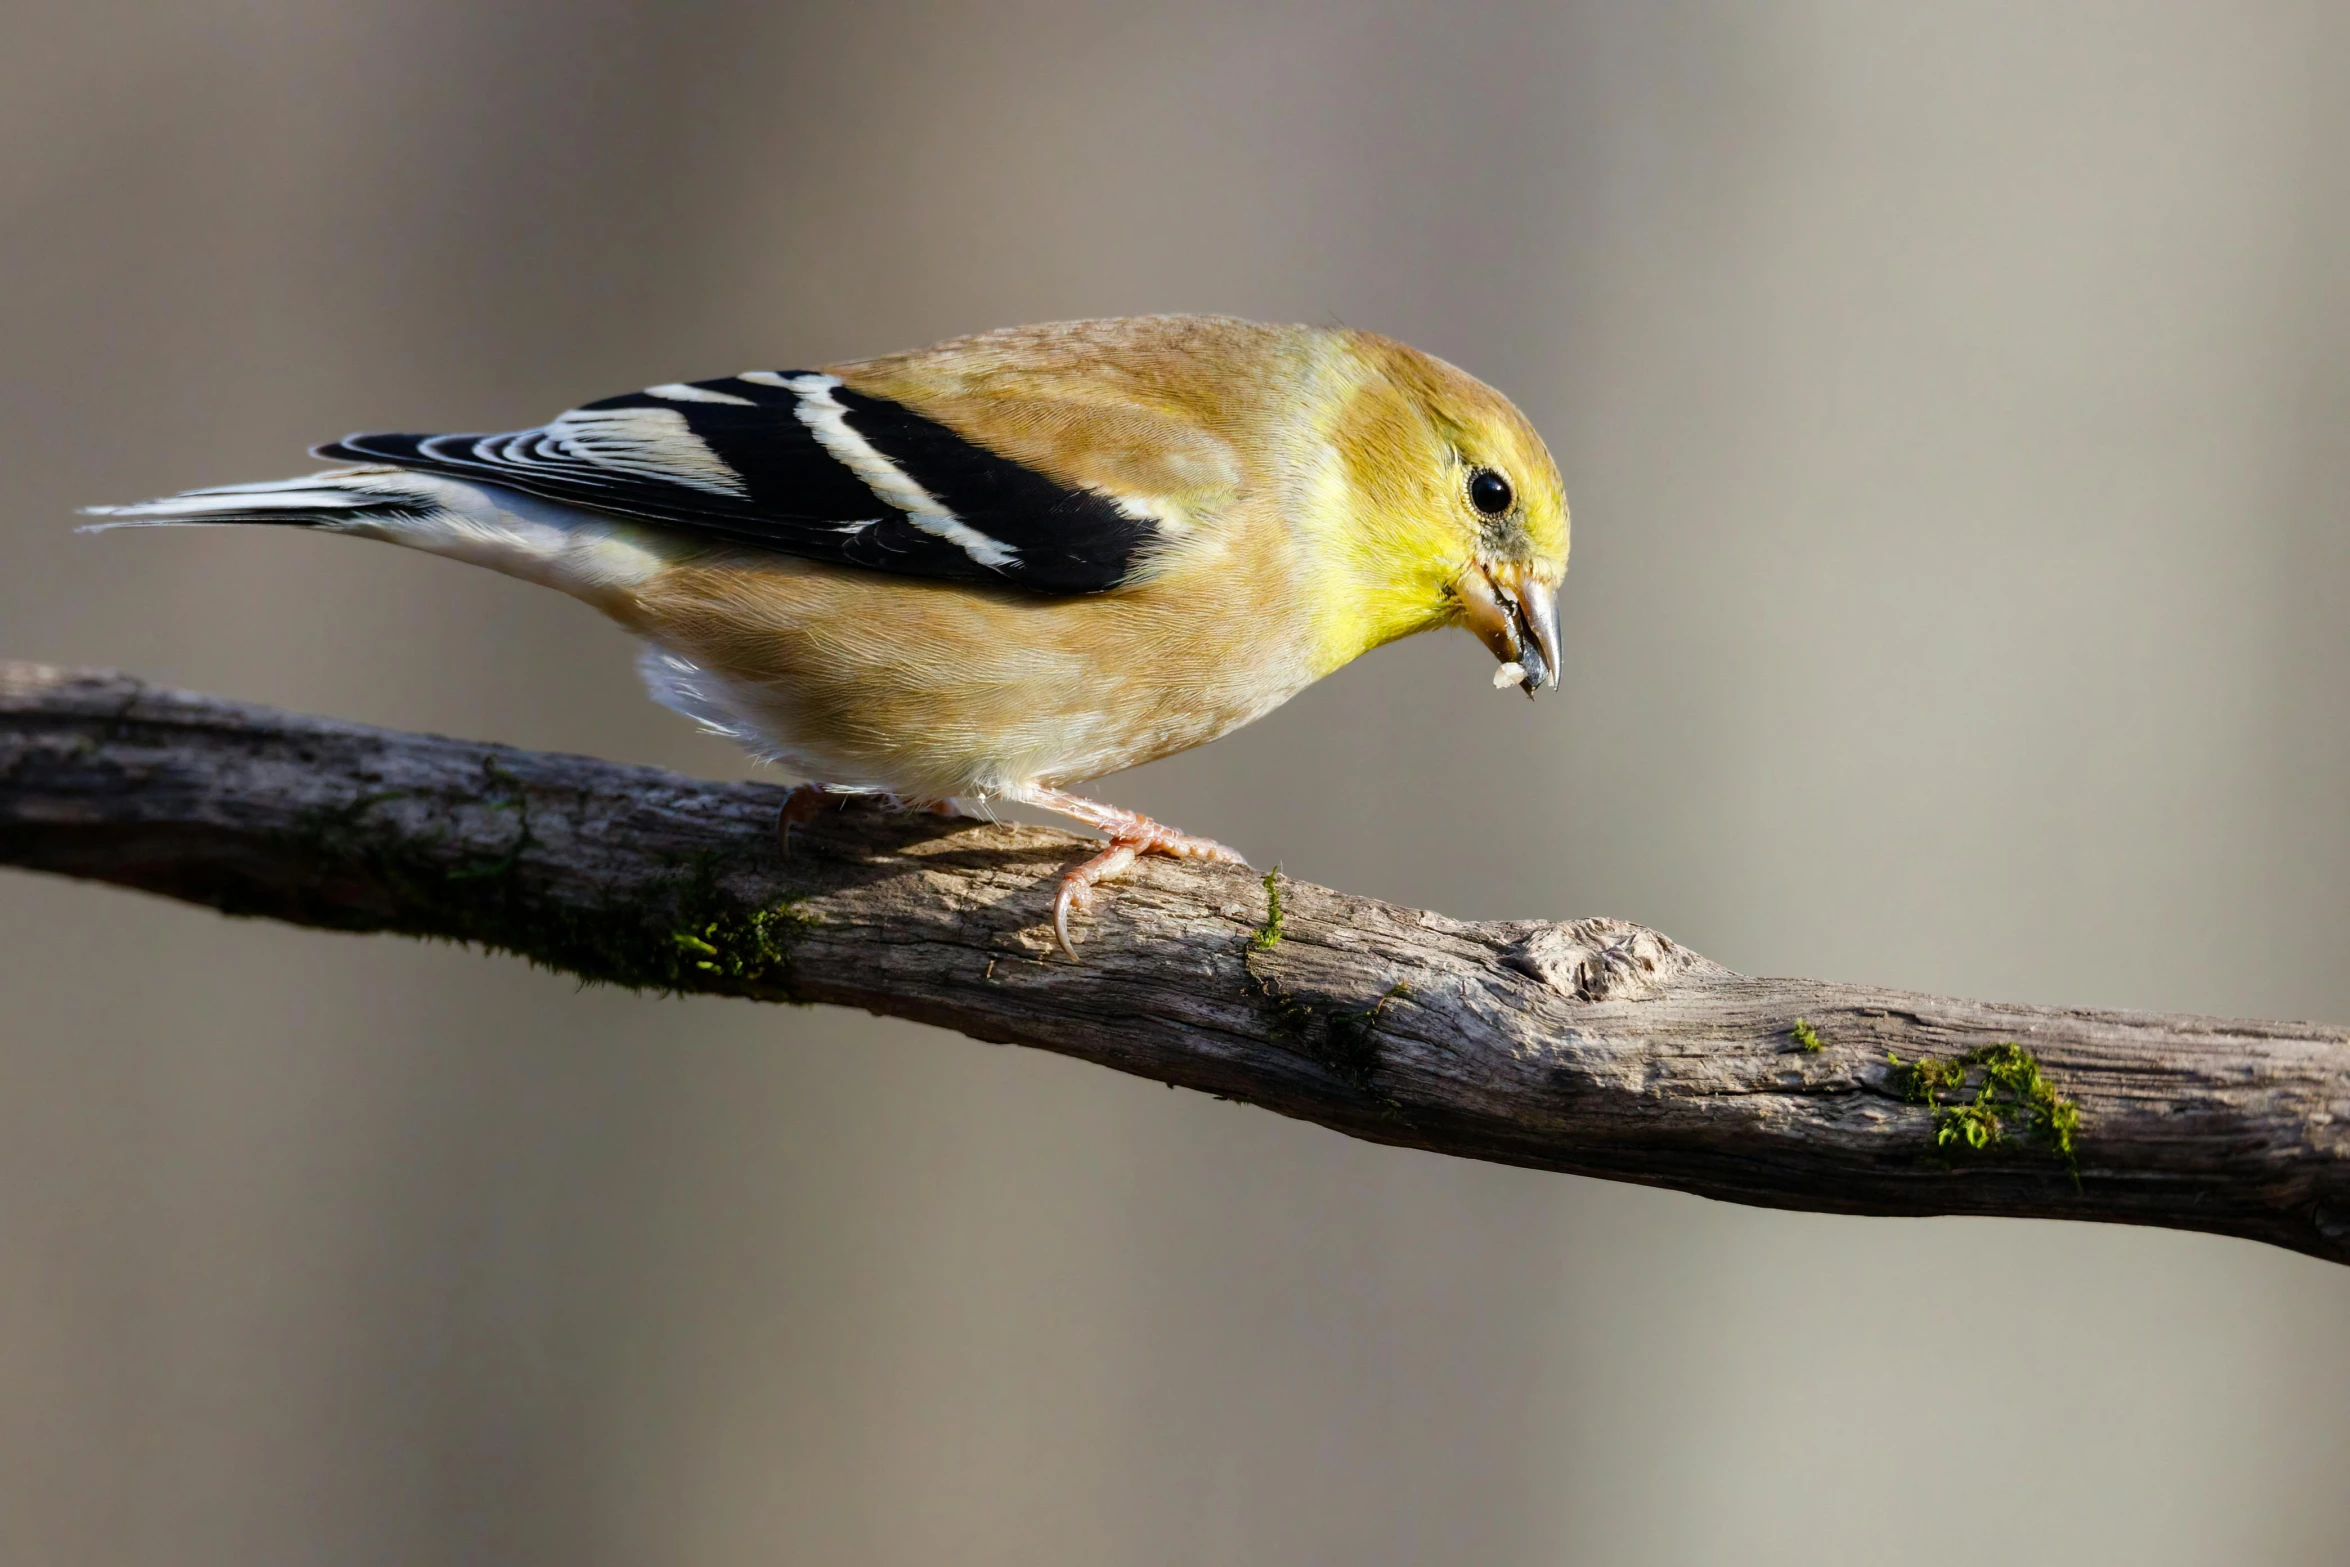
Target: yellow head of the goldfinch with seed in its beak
1449, 511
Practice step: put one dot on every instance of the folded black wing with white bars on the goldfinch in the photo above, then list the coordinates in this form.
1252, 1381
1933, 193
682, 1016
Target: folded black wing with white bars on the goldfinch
795, 462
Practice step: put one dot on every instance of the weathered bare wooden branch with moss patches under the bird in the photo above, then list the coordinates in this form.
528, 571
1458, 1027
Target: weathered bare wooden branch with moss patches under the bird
1590, 1047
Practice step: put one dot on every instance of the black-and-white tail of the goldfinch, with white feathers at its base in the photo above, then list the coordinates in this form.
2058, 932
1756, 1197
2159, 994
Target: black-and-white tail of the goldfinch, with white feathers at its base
474, 523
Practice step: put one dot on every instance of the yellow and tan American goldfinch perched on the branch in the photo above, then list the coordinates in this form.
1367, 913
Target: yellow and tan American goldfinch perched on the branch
1005, 565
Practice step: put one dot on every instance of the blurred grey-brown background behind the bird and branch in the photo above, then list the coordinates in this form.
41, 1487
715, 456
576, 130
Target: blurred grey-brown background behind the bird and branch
1954, 410
